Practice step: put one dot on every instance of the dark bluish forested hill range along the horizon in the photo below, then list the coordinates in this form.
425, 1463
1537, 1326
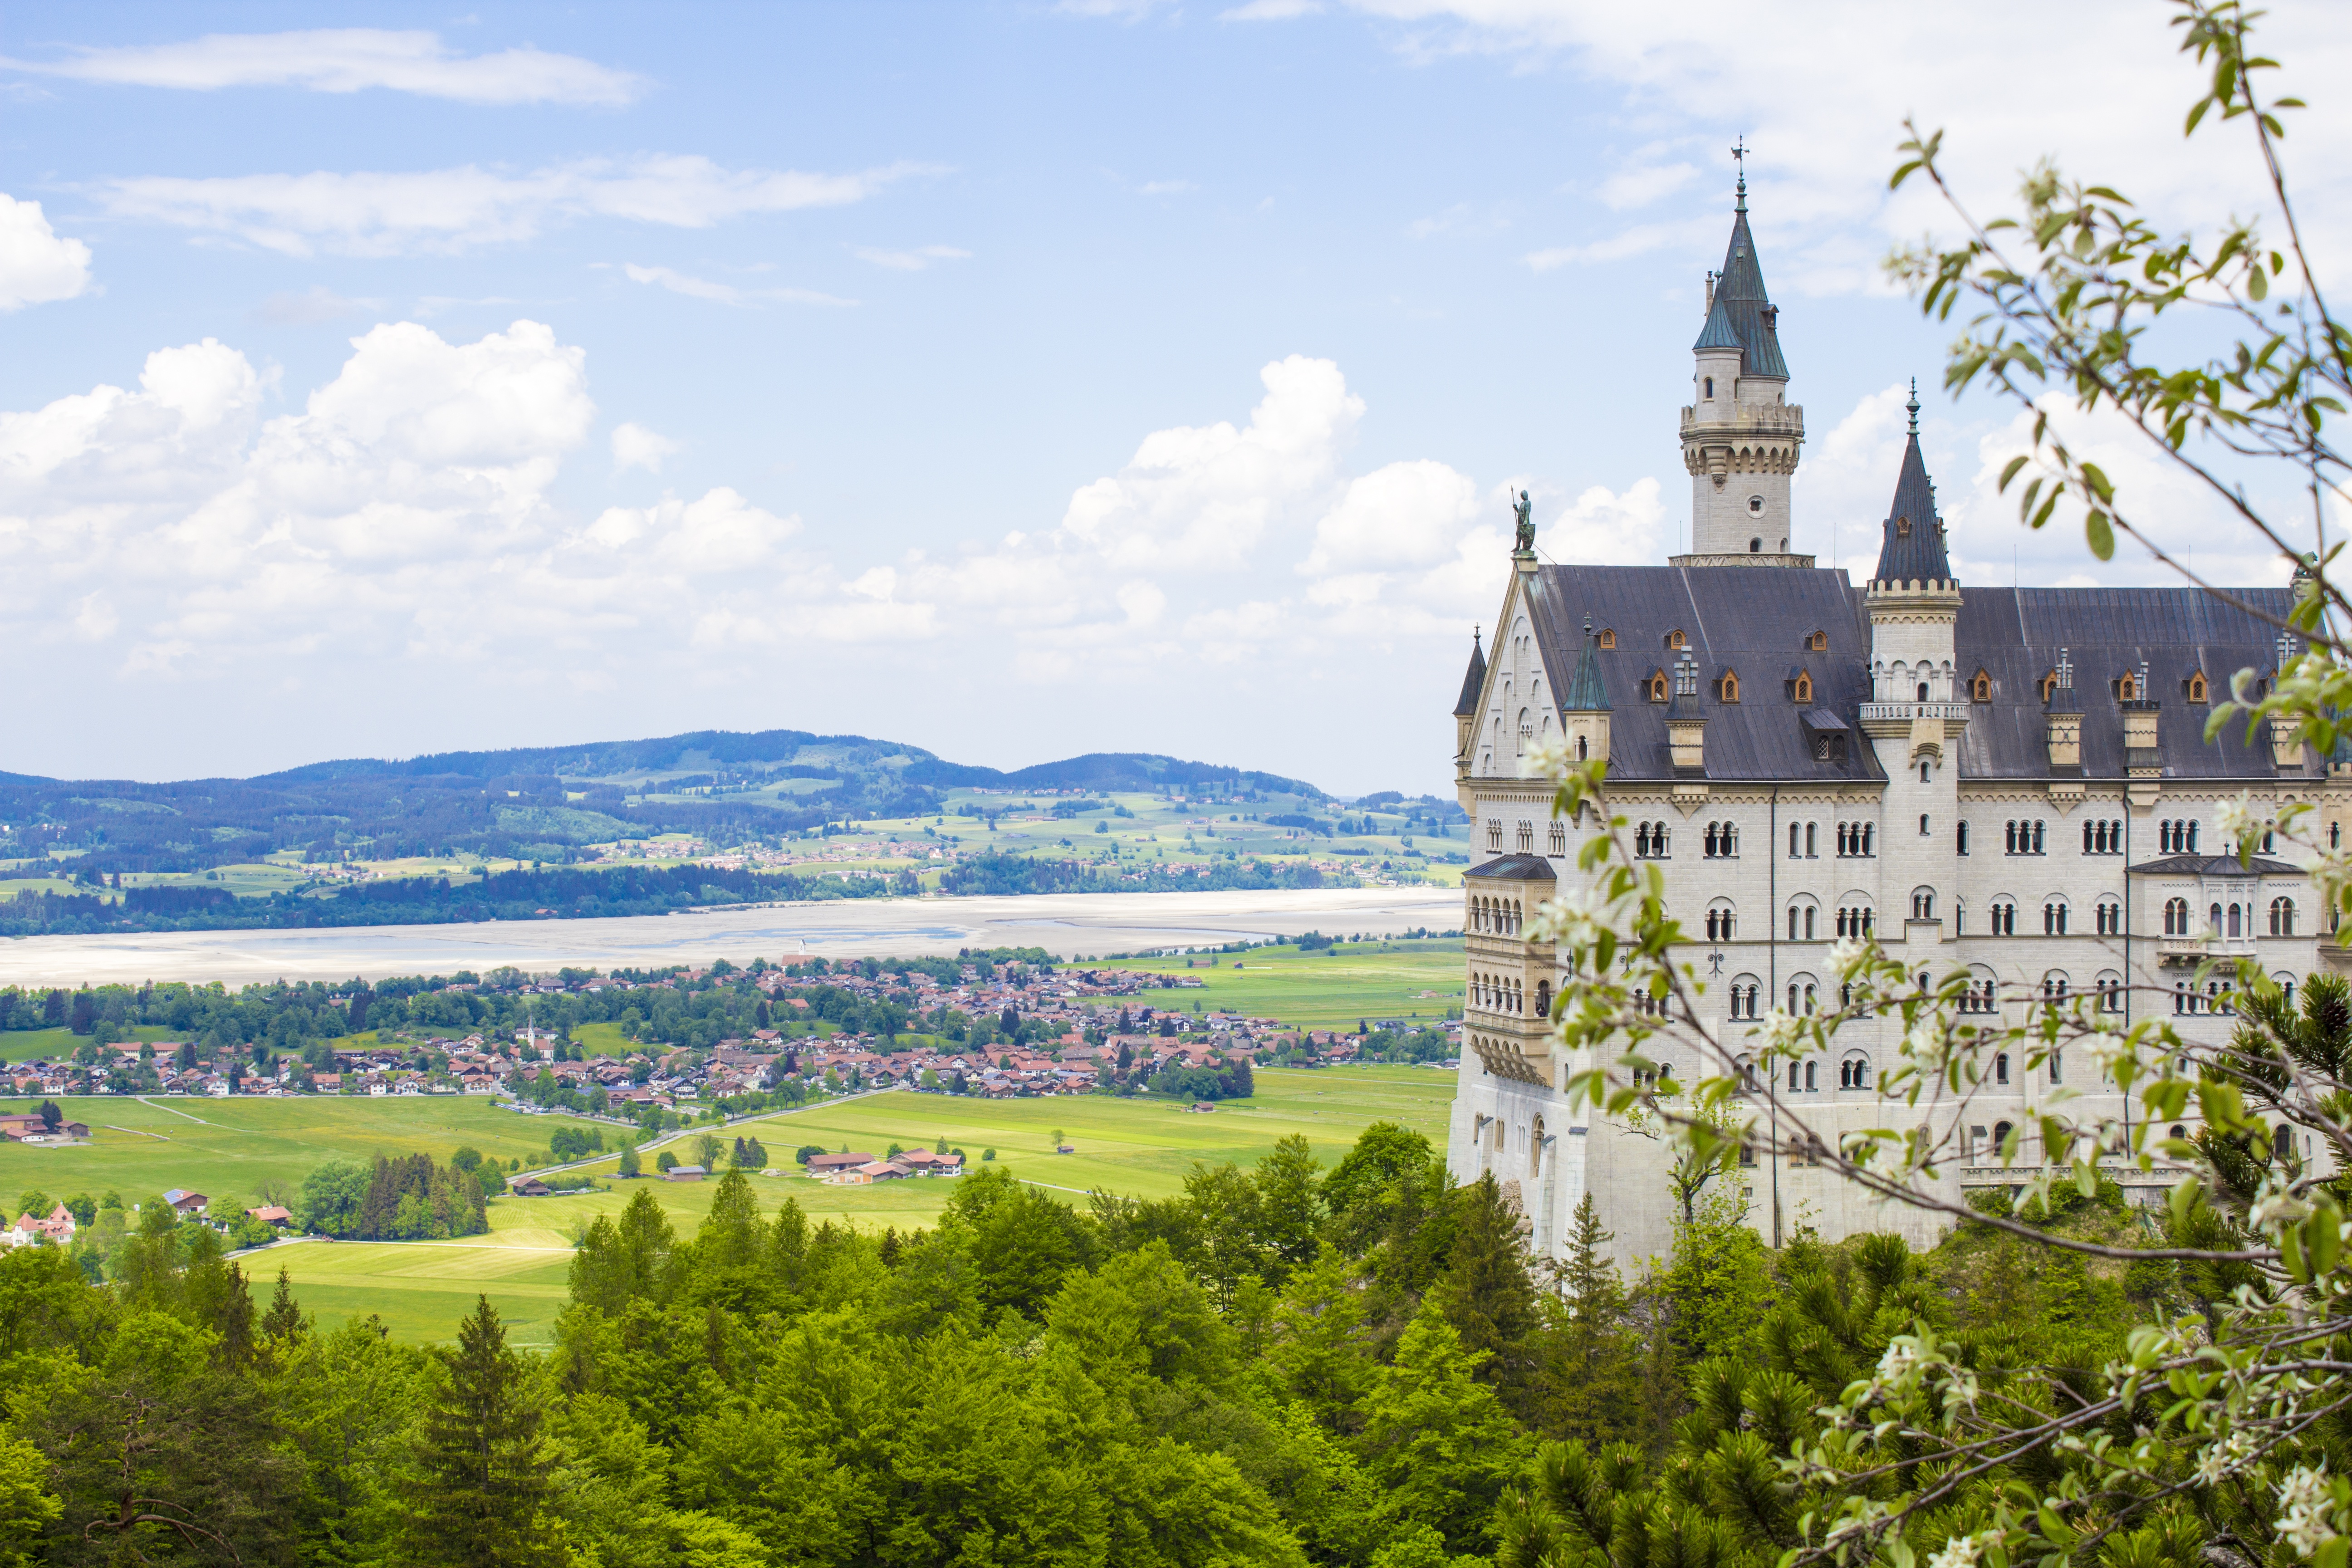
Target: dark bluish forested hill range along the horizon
542, 803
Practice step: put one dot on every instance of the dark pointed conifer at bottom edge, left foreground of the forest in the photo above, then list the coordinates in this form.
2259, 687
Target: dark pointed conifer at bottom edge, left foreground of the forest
483, 1461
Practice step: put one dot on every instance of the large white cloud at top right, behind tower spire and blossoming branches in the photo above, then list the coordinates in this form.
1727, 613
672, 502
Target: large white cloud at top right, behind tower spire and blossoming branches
2099, 76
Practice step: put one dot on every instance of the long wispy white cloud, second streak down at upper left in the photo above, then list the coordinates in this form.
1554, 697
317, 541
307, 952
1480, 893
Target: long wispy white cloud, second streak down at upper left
453, 210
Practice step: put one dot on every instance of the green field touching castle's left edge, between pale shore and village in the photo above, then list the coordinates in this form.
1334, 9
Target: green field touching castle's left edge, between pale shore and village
1339, 986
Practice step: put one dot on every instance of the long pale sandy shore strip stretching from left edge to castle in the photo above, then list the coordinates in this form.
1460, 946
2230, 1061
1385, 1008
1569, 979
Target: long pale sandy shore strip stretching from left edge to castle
1064, 925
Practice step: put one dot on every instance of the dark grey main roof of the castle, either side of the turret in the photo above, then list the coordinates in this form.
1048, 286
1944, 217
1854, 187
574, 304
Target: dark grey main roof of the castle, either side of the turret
1758, 622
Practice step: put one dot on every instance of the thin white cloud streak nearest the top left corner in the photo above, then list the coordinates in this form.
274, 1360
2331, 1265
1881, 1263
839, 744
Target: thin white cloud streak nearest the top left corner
352, 60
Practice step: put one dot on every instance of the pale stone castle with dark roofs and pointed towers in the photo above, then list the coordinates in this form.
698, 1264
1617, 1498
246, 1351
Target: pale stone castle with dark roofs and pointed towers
2003, 779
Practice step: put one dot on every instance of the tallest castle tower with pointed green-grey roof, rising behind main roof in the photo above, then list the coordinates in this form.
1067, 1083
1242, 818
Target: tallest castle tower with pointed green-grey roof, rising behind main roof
1739, 434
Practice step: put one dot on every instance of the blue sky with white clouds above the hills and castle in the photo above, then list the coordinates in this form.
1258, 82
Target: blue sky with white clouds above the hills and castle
1003, 380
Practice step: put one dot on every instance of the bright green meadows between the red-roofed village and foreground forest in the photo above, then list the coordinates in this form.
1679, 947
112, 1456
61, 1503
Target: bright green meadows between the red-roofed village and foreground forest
523, 1264
